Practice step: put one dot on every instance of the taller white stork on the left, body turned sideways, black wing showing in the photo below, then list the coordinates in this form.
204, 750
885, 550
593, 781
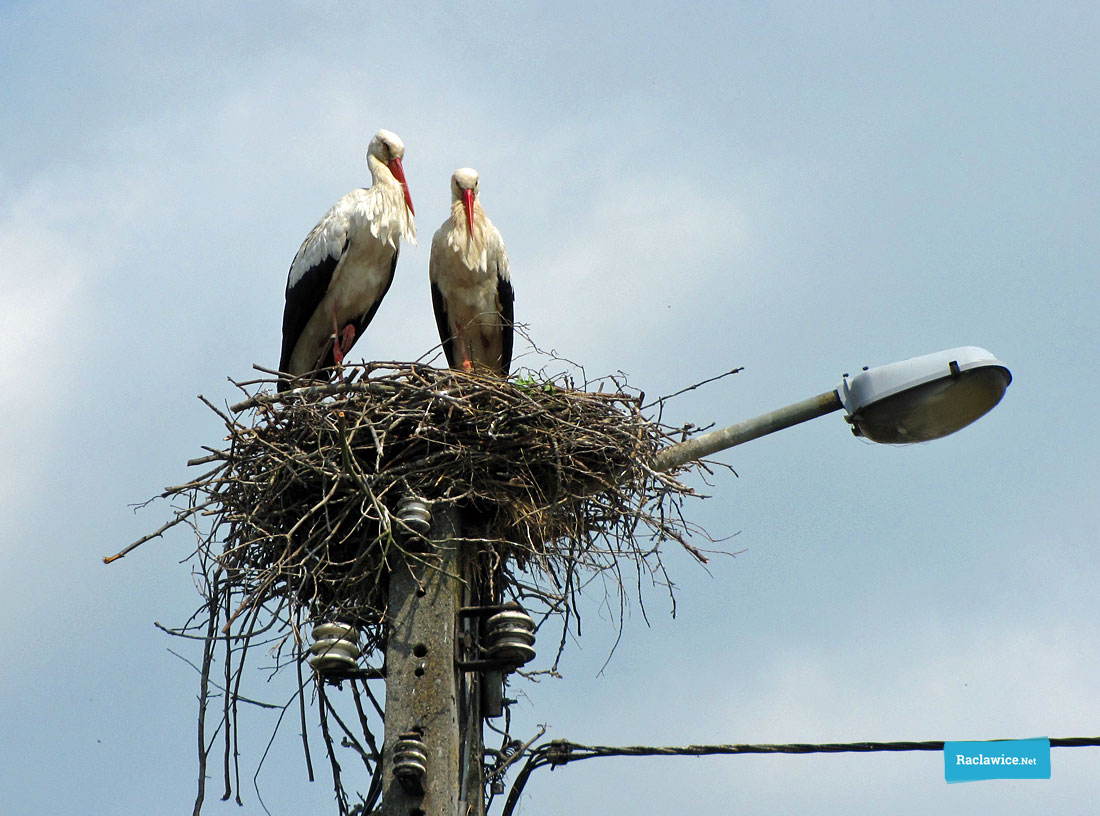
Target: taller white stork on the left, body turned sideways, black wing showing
346, 266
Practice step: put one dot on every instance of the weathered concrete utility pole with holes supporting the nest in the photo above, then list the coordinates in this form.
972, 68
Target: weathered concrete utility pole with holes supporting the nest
433, 721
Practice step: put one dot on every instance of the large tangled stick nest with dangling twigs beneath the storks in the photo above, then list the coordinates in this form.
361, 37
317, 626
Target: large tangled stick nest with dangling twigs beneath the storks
299, 521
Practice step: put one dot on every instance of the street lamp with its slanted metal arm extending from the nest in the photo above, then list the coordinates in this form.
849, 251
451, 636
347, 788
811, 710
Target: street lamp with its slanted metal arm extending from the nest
915, 401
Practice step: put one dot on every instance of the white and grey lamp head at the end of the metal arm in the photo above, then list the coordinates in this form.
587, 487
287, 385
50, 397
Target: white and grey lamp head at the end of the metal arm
923, 399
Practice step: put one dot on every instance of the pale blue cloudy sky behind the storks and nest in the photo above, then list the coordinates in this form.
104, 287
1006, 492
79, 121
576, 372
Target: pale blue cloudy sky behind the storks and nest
797, 189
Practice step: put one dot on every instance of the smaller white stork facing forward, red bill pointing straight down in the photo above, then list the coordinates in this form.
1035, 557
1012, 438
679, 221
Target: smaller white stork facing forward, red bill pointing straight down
471, 288
